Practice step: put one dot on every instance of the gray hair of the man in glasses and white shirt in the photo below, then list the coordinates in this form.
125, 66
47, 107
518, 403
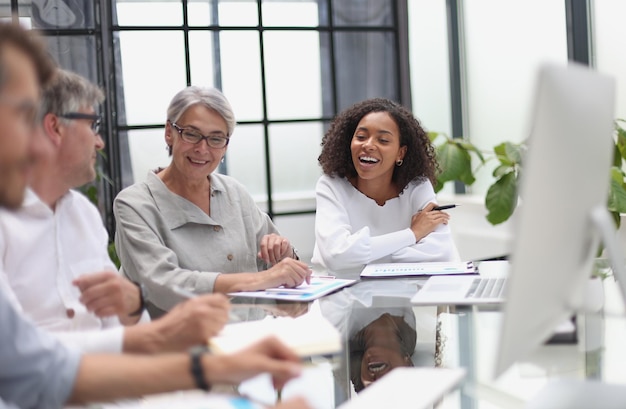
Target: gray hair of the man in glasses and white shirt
69, 92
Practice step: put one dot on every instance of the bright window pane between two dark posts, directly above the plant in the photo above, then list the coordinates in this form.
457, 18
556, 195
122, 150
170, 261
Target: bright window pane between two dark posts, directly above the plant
502, 54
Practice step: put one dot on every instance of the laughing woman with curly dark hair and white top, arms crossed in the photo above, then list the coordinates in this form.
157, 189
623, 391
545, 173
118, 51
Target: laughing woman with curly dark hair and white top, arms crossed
375, 200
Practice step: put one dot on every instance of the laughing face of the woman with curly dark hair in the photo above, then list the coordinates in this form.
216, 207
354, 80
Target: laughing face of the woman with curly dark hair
375, 147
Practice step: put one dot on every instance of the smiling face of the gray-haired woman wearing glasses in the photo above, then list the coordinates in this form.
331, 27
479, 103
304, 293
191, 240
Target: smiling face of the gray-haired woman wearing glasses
196, 161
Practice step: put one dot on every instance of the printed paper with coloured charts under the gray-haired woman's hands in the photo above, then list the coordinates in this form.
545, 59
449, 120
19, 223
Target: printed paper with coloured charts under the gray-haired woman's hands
318, 287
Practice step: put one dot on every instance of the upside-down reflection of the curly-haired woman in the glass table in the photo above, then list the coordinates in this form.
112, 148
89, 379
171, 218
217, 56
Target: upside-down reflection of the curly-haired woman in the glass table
380, 327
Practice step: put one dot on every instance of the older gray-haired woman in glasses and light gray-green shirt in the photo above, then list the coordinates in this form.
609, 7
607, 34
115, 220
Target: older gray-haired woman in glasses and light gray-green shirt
191, 227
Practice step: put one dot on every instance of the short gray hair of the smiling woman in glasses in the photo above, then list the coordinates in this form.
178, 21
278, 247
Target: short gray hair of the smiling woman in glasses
209, 97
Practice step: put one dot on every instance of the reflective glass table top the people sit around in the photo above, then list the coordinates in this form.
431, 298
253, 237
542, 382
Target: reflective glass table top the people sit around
381, 330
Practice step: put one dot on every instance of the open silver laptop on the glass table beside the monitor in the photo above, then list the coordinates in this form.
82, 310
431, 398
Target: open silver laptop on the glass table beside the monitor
487, 288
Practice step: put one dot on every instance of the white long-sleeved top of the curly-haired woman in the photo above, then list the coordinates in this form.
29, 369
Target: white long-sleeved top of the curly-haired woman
352, 230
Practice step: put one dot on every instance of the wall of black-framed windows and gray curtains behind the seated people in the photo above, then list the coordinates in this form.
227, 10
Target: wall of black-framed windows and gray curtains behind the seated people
465, 67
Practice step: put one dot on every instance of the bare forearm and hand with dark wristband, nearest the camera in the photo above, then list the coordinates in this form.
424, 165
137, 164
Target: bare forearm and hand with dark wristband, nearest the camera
108, 377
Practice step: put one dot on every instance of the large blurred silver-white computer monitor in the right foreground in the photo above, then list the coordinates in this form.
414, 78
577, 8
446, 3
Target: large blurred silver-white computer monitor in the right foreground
563, 192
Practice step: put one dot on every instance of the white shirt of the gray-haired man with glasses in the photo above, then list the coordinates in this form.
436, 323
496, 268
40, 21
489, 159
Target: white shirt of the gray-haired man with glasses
42, 251
